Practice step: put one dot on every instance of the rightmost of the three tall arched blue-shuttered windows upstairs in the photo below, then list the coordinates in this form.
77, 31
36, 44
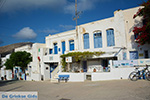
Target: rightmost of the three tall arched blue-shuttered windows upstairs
110, 37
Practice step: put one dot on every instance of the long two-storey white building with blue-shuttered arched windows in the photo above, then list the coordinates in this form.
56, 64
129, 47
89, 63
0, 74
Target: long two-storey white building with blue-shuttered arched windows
112, 36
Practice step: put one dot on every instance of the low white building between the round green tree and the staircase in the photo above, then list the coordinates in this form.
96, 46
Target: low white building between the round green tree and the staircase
35, 69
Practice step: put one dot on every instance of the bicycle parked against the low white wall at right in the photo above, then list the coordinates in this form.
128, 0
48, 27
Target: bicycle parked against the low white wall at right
137, 74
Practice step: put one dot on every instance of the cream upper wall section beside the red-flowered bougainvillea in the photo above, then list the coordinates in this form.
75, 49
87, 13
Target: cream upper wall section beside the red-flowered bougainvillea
129, 24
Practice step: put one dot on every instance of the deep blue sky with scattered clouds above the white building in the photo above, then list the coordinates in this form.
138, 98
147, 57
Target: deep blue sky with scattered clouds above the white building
33, 20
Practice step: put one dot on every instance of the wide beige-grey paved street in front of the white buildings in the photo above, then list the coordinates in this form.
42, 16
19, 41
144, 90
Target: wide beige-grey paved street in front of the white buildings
101, 90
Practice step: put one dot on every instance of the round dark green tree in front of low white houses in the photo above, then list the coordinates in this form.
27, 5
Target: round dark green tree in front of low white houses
20, 58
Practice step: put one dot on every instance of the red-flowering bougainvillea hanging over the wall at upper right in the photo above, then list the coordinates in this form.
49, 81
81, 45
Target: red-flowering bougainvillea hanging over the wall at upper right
143, 32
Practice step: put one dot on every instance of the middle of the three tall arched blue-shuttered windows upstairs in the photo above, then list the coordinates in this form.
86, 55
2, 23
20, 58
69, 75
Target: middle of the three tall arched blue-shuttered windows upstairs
98, 39
